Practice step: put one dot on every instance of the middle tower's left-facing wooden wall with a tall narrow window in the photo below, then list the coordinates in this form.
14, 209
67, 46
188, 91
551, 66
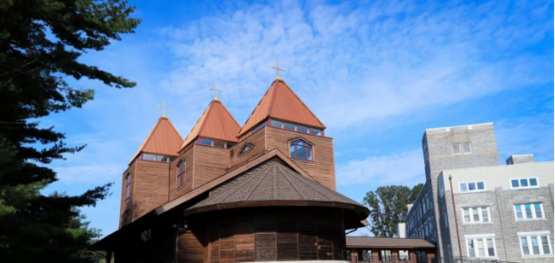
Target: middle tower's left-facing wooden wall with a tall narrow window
188, 155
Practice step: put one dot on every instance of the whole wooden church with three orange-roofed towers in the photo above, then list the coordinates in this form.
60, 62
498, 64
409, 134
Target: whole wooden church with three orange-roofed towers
261, 192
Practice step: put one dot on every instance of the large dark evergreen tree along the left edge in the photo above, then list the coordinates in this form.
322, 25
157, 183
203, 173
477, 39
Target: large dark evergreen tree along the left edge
41, 42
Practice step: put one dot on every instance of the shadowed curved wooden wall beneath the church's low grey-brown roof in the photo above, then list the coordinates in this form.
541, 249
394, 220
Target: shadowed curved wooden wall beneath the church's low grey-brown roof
268, 234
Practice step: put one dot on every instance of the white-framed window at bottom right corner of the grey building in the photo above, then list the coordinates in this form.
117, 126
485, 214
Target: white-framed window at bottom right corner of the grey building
535, 243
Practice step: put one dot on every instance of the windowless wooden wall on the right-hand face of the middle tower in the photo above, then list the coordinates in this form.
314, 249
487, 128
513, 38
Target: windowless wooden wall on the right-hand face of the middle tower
210, 162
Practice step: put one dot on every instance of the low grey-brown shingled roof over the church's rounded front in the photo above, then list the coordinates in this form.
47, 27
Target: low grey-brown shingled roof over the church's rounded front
274, 184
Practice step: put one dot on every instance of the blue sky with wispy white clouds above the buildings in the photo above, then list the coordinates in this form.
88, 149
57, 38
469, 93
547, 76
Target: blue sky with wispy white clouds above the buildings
376, 73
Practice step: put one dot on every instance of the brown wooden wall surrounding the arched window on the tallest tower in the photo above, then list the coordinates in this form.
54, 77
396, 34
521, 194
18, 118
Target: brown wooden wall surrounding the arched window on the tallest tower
321, 168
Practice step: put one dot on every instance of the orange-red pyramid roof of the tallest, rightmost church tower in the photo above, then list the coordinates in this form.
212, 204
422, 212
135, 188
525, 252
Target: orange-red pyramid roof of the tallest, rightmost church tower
282, 103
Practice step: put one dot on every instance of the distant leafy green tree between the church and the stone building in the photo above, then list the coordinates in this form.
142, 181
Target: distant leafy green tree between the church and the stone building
388, 207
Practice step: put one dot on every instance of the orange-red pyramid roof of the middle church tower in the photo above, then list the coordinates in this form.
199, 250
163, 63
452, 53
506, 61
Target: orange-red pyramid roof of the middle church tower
215, 123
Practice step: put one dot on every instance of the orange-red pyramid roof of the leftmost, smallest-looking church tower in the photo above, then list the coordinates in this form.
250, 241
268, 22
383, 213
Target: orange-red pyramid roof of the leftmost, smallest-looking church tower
163, 139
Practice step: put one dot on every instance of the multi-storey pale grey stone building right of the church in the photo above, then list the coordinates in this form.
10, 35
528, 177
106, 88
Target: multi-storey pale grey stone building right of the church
482, 188
